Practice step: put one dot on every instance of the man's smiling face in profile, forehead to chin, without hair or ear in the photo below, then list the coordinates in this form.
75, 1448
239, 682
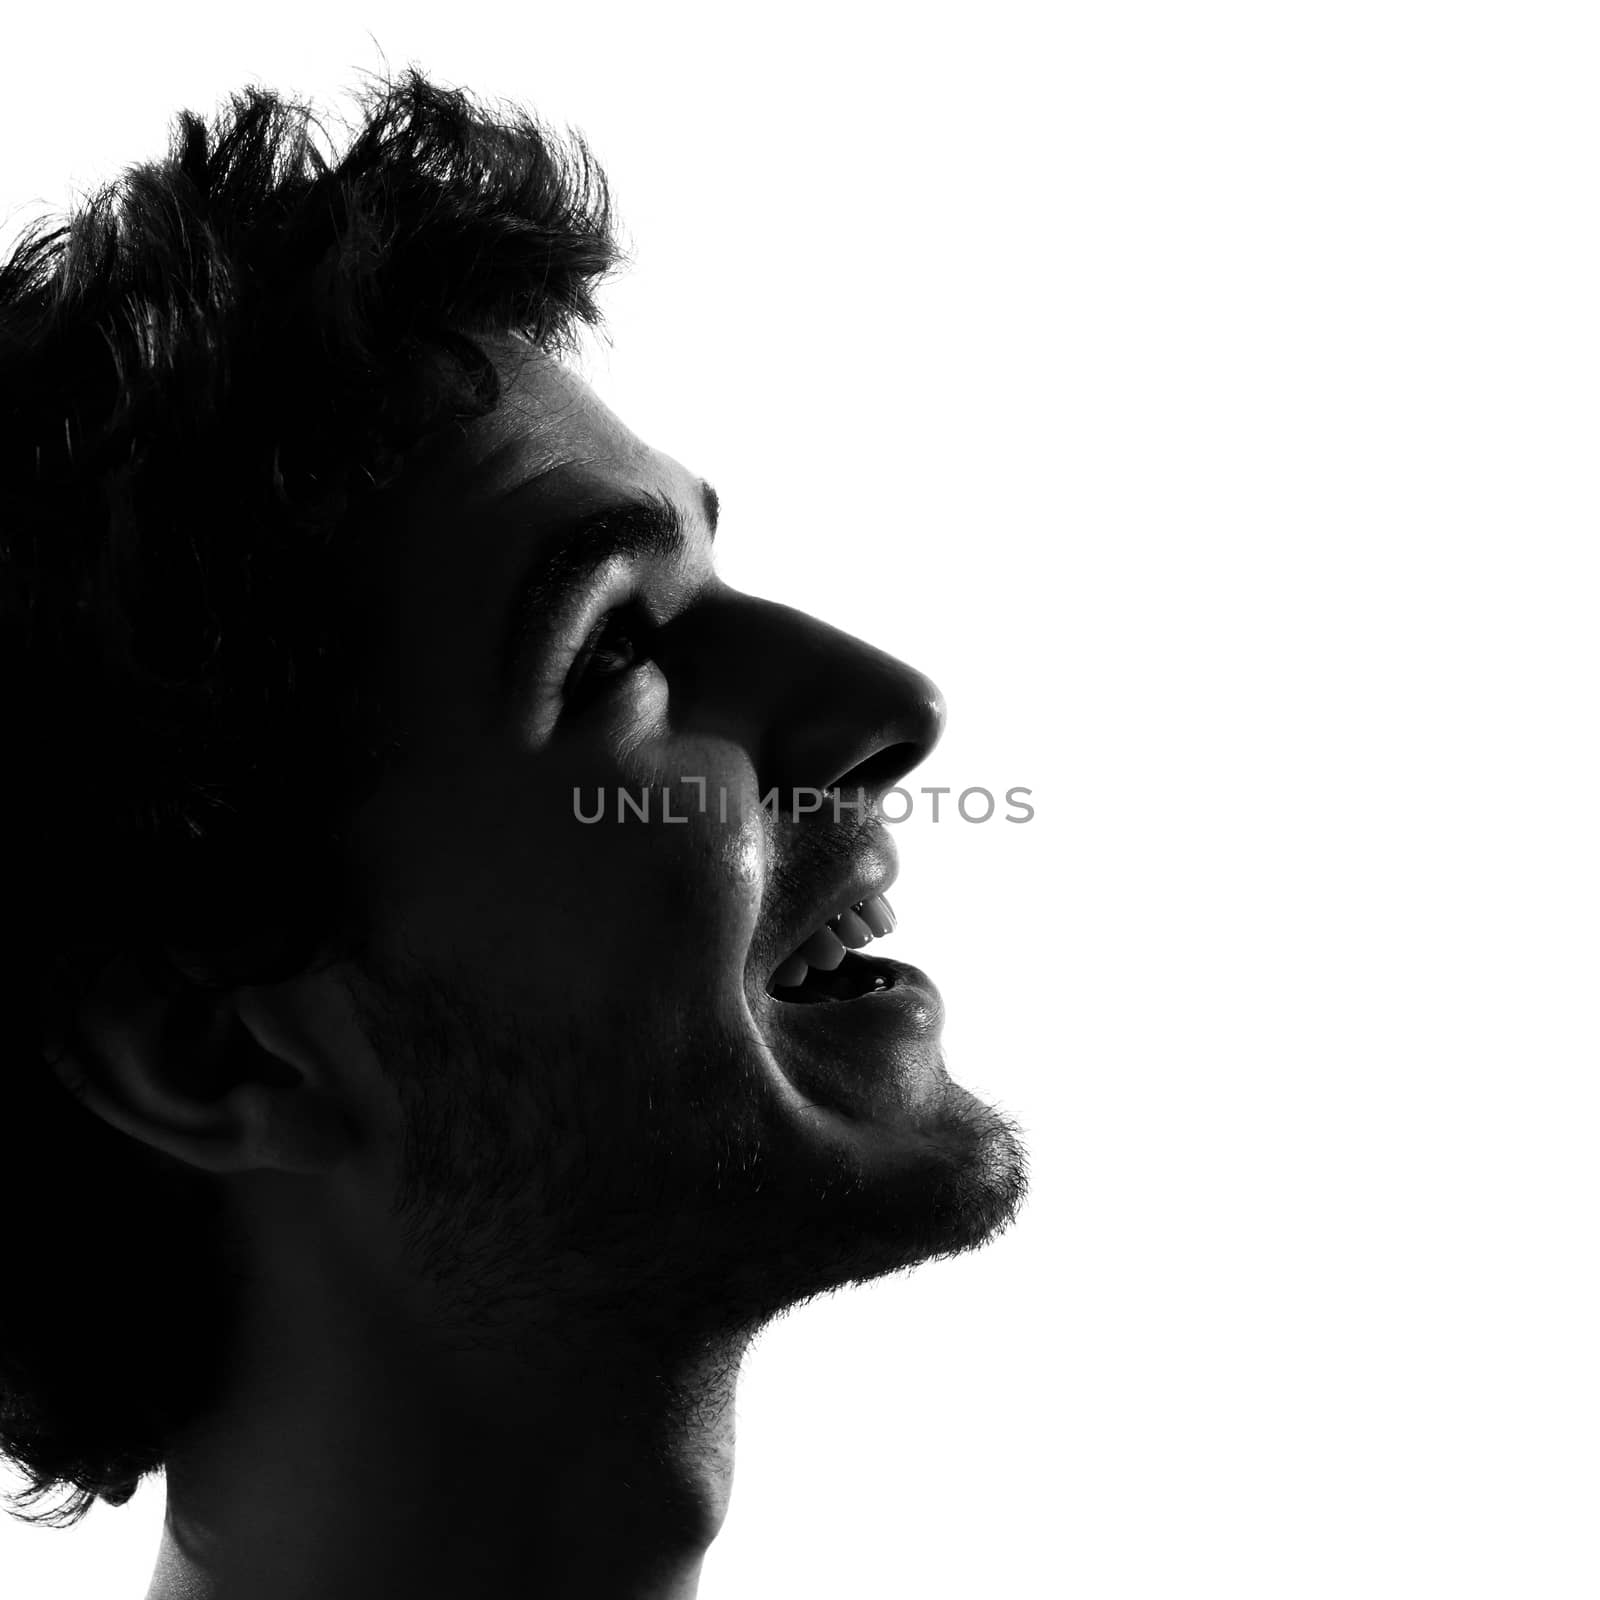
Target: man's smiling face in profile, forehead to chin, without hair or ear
626, 1031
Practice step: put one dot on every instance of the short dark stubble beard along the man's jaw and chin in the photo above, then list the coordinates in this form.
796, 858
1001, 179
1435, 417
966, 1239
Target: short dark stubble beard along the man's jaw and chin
682, 1212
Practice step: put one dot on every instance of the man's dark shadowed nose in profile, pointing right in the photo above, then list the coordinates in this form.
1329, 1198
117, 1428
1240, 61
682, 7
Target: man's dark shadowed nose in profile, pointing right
818, 708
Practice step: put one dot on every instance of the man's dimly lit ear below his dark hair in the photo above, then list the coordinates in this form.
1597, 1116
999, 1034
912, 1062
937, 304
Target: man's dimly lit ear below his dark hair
225, 1081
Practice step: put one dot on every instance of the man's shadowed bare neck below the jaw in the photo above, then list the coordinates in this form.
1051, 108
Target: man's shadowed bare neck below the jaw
348, 1460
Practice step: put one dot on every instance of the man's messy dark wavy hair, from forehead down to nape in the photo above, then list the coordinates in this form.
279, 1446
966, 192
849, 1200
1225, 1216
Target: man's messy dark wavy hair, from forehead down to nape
209, 372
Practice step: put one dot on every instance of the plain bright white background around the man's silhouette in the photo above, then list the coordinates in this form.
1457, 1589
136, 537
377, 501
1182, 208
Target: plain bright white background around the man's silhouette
1207, 398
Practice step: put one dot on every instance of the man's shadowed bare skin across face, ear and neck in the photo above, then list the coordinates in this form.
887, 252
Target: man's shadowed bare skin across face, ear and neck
516, 1186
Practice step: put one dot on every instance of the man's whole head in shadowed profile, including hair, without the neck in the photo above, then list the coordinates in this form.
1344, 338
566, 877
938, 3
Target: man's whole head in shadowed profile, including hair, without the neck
420, 866
